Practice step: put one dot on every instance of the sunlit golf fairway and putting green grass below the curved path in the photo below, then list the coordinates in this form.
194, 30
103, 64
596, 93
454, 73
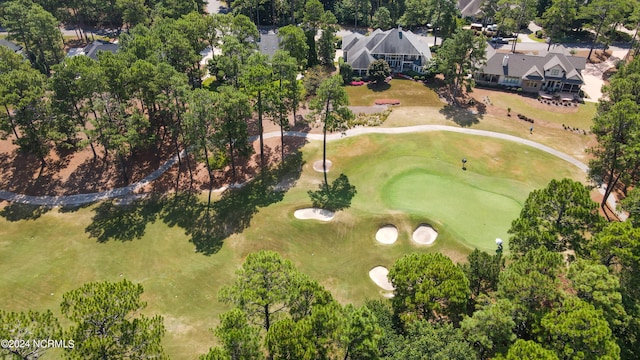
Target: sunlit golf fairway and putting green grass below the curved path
405, 180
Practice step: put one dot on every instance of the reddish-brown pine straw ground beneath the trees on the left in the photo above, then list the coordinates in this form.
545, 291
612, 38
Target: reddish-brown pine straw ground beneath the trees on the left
77, 172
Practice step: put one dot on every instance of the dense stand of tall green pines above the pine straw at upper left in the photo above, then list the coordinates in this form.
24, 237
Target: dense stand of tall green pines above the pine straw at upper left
150, 92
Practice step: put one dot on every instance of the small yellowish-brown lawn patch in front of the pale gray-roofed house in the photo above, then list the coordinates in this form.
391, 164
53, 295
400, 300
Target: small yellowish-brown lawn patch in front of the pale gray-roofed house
410, 93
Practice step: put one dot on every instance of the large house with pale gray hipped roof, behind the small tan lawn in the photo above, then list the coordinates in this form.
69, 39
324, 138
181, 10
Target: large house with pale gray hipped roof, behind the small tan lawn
401, 49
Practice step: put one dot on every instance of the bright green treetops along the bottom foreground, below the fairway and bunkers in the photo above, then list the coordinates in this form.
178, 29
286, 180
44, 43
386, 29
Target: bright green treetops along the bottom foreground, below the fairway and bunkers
568, 290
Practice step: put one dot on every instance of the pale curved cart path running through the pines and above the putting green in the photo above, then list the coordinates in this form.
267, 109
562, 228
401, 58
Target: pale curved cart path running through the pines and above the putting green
79, 199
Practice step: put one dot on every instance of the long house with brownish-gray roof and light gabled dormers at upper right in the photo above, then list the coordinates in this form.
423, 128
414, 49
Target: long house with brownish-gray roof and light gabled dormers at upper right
549, 71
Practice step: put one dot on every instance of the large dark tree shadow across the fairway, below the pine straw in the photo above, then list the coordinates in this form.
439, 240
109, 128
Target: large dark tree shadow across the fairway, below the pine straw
206, 226
